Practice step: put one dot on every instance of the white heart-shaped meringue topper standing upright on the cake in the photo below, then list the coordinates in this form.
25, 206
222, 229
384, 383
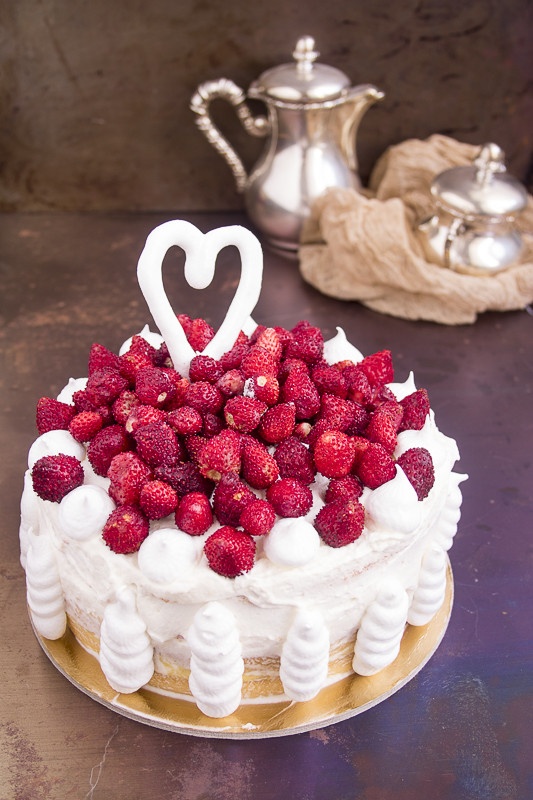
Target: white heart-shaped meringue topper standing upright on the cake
201, 250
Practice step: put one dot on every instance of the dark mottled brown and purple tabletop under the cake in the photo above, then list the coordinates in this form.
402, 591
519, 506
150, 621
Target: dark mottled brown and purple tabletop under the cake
460, 729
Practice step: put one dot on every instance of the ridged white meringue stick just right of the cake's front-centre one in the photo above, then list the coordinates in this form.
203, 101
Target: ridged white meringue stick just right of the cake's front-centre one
305, 656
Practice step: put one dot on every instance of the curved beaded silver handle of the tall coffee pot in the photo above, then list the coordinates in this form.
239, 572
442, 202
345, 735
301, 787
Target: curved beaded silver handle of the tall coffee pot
256, 126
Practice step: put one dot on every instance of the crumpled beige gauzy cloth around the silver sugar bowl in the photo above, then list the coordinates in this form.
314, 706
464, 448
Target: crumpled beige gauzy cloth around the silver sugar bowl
364, 246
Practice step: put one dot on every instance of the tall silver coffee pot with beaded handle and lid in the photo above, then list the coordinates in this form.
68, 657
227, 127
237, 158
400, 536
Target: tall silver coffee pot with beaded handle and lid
313, 115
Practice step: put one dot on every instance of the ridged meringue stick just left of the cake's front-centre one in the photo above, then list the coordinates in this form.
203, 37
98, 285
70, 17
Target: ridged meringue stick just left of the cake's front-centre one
126, 652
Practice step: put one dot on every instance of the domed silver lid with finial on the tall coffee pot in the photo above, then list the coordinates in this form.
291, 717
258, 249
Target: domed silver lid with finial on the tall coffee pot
302, 81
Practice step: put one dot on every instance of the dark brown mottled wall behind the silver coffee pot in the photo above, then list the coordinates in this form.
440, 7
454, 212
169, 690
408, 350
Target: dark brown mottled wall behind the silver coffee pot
94, 94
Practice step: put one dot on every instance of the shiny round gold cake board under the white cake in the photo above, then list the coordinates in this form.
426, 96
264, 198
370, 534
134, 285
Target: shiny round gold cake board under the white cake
344, 699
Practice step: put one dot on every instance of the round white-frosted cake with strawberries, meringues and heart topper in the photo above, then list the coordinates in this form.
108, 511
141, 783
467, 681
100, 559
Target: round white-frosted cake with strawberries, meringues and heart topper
237, 517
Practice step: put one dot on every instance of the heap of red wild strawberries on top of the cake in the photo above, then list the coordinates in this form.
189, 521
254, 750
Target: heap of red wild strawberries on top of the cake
240, 439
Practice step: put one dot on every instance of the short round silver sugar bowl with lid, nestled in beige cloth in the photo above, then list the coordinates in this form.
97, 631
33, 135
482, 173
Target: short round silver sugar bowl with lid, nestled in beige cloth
474, 231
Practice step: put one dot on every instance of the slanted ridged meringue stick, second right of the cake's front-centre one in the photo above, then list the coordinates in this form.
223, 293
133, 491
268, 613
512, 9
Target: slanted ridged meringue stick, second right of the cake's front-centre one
382, 627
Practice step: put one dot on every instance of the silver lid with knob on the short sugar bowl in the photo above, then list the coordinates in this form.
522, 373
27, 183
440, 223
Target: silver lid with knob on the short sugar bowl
484, 189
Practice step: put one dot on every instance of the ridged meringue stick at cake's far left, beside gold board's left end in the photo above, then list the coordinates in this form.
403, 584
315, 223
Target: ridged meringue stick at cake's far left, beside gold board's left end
43, 589
